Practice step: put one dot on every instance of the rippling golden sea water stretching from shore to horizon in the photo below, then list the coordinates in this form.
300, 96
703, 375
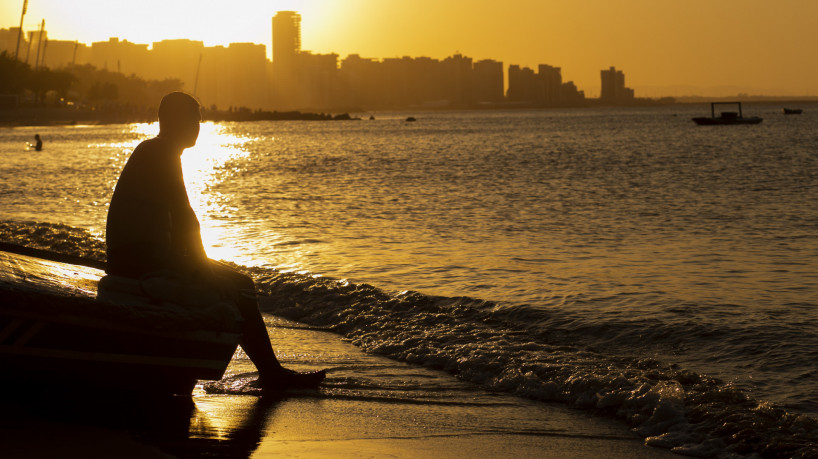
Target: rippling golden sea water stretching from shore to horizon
621, 261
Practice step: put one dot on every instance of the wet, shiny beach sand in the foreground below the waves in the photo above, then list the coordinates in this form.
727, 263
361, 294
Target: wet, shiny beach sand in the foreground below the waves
370, 406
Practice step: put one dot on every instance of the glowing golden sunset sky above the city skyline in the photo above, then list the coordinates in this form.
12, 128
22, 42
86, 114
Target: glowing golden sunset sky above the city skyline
665, 47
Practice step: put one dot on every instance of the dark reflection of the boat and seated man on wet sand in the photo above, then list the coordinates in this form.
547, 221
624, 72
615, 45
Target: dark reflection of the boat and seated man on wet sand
218, 426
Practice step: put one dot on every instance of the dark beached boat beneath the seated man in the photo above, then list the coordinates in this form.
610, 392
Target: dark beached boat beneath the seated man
55, 334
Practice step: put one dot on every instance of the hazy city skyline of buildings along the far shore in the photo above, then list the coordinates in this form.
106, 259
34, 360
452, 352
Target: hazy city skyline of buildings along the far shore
241, 75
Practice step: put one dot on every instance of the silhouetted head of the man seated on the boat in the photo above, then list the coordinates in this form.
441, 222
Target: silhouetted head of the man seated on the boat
179, 118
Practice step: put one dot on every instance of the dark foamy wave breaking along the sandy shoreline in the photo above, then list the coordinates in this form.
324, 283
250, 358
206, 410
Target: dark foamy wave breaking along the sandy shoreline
536, 354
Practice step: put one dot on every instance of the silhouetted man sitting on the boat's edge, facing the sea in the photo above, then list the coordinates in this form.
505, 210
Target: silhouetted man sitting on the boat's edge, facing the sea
152, 227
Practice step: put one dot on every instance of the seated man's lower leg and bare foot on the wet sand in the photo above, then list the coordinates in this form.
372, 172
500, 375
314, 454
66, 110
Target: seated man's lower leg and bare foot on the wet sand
255, 341
